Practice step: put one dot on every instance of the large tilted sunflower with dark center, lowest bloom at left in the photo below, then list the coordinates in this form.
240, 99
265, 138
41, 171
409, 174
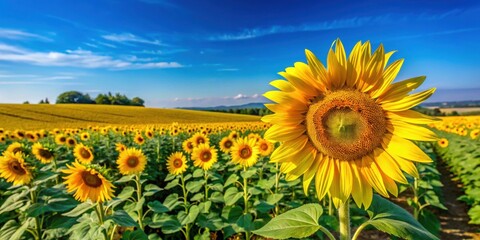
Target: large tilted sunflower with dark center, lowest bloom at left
87, 183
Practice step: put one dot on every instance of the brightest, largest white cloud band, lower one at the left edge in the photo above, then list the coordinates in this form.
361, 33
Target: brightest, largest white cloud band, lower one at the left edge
75, 58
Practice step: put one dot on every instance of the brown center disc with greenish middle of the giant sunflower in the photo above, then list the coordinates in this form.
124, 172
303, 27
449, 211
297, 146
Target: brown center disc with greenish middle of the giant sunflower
346, 124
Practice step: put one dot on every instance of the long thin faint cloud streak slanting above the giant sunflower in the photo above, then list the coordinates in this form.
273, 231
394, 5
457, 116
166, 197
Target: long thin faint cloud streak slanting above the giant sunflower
353, 22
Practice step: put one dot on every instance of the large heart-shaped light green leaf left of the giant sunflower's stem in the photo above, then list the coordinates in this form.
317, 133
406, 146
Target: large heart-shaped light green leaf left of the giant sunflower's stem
297, 223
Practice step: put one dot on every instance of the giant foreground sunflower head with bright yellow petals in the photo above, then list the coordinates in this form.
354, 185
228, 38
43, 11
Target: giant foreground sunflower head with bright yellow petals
347, 125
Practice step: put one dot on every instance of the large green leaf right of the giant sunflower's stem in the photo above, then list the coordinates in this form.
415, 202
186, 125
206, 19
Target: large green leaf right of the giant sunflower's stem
392, 219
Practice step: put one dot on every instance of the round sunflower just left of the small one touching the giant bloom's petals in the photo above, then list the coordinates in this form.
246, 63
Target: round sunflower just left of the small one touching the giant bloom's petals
245, 151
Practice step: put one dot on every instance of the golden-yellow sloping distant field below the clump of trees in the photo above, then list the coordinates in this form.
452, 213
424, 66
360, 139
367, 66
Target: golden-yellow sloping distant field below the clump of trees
44, 116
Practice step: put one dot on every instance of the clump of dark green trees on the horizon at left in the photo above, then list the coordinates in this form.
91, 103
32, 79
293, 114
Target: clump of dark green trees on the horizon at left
106, 99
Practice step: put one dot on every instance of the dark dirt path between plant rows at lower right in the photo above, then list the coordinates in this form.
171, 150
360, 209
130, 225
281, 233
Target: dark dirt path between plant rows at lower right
454, 221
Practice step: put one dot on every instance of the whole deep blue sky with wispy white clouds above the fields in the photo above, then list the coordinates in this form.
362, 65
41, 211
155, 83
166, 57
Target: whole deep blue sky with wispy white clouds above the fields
208, 53
